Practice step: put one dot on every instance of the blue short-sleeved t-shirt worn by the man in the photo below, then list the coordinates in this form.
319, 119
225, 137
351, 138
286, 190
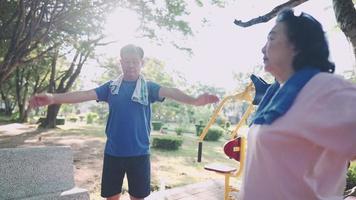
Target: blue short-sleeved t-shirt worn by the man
128, 126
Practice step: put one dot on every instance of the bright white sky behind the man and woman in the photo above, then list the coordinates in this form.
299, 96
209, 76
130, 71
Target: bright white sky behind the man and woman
221, 48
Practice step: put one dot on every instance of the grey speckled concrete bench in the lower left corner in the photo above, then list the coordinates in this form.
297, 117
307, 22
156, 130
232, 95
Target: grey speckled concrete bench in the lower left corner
38, 173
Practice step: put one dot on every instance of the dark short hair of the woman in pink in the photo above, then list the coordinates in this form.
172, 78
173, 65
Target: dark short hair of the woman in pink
308, 37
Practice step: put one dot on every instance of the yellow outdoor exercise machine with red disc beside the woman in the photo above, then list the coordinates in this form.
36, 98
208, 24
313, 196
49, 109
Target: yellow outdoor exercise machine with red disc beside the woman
236, 147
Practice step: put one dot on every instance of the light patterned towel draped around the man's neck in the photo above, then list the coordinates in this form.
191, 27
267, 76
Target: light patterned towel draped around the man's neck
140, 94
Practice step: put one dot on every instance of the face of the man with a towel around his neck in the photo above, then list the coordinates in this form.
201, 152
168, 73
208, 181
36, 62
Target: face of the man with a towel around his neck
131, 65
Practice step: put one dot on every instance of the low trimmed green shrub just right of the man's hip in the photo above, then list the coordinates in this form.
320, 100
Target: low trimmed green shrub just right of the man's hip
167, 142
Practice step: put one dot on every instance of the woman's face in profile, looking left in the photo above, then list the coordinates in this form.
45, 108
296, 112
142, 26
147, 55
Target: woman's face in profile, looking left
278, 53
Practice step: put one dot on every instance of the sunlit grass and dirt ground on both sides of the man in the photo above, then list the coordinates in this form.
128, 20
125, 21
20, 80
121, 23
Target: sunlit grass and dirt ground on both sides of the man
169, 168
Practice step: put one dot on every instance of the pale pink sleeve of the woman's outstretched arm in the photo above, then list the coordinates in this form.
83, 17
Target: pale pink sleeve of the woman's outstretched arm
331, 121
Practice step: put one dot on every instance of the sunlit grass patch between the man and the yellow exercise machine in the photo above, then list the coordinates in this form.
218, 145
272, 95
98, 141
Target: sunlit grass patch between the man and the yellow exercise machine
181, 167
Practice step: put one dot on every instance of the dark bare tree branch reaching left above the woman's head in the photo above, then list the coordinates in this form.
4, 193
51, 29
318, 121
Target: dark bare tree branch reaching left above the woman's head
270, 15
